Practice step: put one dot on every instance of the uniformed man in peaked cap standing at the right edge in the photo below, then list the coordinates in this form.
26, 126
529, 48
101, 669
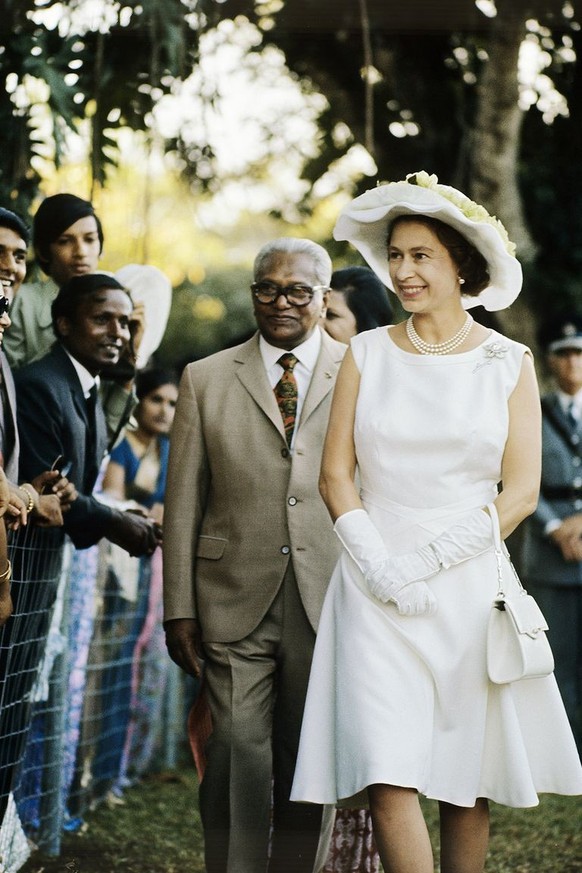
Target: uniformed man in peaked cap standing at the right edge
552, 557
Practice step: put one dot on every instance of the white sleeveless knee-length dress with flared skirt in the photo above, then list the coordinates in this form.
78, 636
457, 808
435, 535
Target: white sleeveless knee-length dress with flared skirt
406, 700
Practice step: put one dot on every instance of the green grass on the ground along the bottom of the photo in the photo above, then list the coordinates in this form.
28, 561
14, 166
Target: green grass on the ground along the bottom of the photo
158, 830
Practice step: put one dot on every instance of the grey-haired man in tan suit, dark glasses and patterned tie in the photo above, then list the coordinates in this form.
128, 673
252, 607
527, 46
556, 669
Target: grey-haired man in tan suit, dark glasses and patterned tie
248, 554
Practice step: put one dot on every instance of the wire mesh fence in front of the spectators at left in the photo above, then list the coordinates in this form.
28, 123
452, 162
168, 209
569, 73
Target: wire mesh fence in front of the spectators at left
89, 700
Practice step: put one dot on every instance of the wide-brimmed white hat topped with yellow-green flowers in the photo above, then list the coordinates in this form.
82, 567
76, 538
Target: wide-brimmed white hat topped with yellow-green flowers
364, 223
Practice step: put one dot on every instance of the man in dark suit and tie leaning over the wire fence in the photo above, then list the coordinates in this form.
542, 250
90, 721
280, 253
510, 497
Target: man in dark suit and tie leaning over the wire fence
60, 415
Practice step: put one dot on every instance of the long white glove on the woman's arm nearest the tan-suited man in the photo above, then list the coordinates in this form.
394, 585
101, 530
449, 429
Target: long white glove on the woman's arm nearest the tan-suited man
361, 538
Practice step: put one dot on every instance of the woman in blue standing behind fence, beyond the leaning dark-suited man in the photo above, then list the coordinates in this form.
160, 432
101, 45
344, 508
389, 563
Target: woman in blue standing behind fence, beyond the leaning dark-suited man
136, 688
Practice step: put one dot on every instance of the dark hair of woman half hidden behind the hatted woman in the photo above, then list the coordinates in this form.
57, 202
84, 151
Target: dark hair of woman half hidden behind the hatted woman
365, 295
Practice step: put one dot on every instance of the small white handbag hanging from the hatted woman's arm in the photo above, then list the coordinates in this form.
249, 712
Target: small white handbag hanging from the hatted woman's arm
517, 645
